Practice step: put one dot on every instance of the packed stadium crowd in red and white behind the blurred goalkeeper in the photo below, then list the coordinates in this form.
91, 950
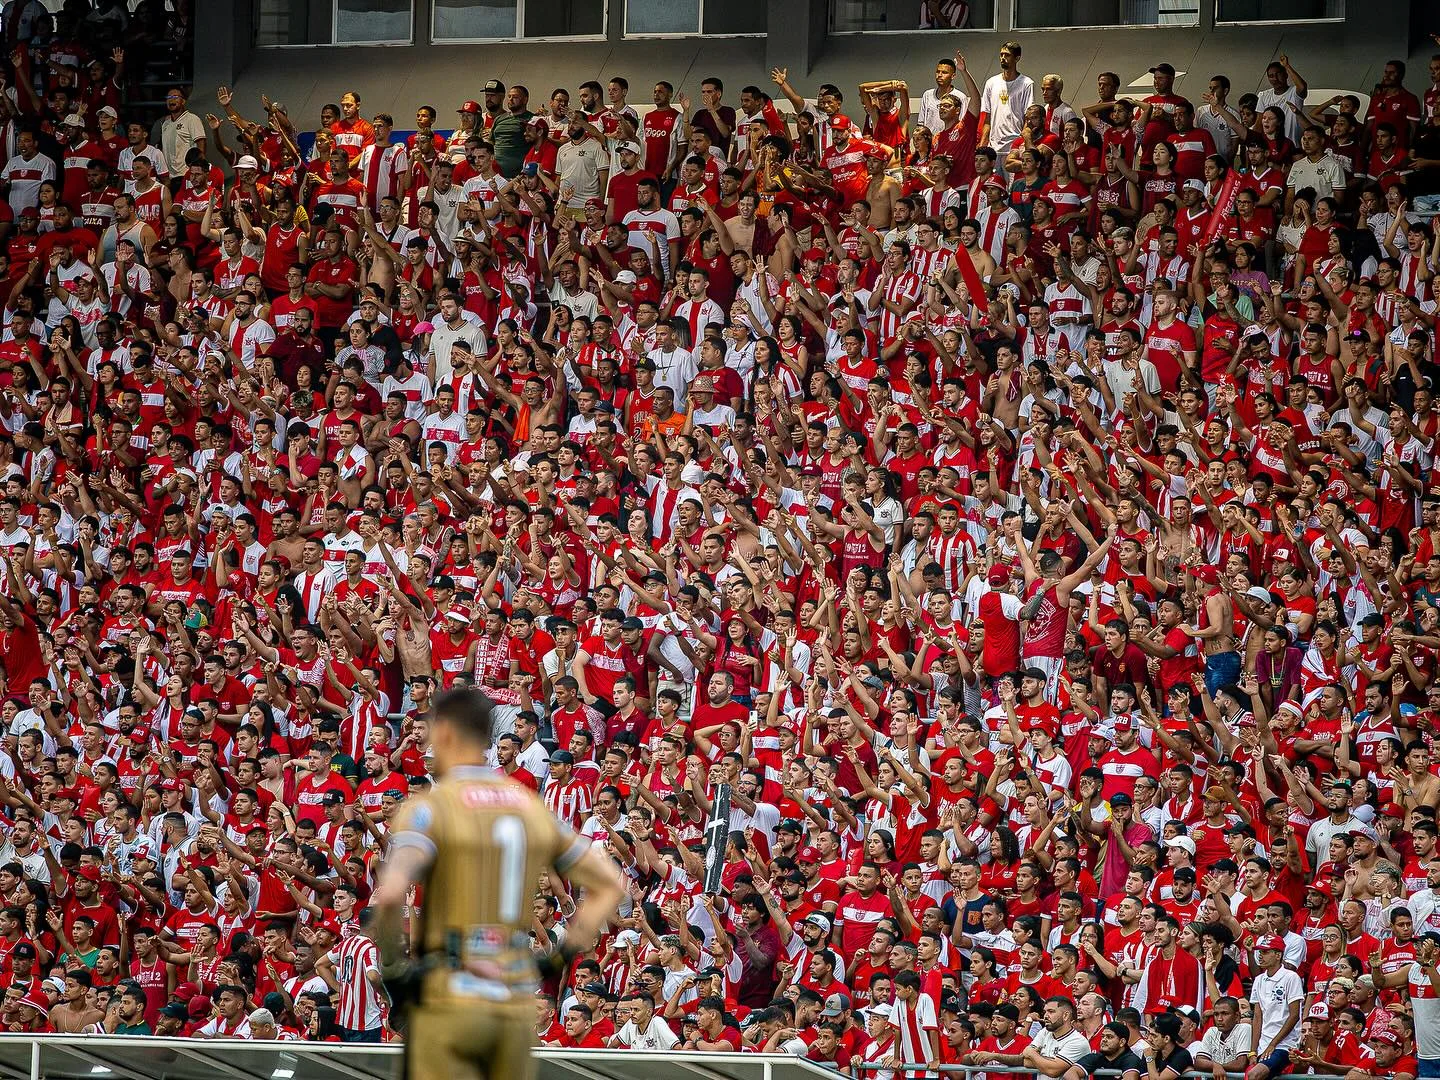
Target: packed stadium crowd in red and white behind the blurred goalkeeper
1023, 512
